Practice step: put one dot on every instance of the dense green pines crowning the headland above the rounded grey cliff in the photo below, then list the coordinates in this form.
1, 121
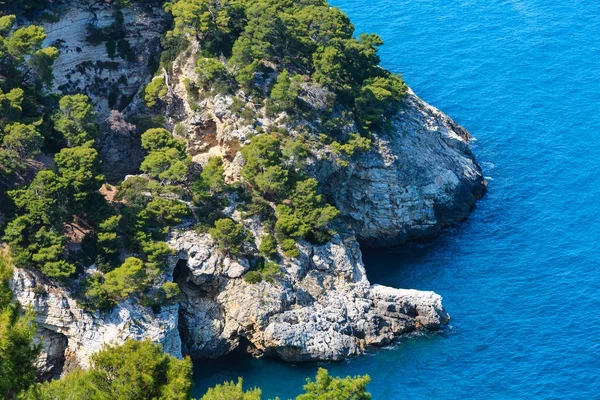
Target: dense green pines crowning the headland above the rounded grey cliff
244, 39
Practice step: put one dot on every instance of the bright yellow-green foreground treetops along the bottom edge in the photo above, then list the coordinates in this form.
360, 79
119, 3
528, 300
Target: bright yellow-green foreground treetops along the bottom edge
140, 370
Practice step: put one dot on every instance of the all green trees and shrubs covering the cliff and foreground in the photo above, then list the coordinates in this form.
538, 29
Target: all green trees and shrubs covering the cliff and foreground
59, 217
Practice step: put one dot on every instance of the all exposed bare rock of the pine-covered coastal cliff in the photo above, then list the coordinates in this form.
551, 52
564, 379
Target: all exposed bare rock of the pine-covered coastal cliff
418, 177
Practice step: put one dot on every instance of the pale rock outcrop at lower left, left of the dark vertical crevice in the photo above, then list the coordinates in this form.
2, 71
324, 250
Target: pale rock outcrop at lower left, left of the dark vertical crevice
70, 334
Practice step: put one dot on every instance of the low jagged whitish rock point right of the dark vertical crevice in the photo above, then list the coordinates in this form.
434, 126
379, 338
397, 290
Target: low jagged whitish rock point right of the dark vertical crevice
322, 307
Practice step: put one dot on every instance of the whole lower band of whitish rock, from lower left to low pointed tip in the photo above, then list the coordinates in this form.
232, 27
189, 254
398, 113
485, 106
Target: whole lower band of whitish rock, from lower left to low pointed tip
321, 307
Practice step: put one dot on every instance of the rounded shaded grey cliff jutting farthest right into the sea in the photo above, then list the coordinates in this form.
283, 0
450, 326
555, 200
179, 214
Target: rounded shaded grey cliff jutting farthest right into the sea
420, 177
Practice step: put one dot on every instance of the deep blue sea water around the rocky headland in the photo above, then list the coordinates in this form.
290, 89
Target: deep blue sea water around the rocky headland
521, 277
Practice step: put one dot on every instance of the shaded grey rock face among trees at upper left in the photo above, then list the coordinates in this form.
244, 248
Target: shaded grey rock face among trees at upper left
113, 80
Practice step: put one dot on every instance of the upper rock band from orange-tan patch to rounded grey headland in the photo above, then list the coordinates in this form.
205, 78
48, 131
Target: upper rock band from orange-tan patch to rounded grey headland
418, 177
